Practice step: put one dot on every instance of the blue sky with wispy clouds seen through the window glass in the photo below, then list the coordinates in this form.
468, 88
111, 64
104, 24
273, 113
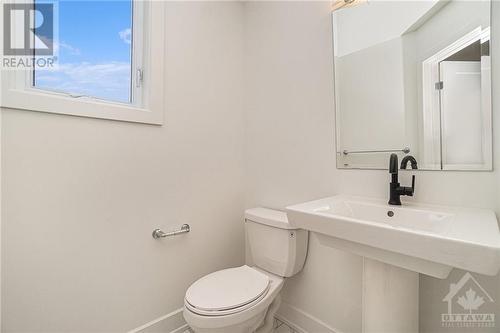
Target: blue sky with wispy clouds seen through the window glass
94, 50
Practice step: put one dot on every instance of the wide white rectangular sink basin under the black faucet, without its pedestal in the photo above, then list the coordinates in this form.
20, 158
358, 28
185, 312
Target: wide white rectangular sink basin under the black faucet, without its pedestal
424, 238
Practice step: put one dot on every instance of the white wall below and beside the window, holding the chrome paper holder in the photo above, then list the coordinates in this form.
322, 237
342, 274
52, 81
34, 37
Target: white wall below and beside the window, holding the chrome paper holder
82, 196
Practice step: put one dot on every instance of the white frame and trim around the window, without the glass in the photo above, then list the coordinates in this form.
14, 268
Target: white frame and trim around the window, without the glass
148, 50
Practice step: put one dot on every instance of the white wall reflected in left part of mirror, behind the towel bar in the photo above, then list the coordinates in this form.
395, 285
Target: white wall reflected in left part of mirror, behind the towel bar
368, 119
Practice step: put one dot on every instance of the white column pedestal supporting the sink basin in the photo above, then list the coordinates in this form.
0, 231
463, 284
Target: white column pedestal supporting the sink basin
390, 298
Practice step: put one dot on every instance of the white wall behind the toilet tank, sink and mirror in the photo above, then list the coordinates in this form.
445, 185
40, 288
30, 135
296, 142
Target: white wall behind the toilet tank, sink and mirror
290, 143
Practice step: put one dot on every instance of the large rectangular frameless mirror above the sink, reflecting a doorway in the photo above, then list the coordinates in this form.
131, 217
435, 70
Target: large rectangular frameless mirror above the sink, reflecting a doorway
413, 77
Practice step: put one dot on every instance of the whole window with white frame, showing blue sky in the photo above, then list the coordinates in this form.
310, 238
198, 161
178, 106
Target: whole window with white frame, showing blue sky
104, 66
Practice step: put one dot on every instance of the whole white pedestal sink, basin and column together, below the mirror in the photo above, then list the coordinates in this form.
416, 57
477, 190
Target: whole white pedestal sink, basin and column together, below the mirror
397, 243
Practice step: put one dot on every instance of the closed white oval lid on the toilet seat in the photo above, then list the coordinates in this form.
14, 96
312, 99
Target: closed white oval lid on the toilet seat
227, 289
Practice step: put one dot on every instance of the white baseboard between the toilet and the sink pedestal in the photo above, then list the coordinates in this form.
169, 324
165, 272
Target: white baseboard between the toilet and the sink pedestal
302, 321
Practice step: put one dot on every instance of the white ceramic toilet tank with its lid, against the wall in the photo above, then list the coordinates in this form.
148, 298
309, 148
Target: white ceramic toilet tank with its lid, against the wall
274, 244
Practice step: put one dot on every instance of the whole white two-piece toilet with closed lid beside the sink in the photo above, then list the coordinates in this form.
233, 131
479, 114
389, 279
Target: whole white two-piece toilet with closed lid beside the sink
245, 299
